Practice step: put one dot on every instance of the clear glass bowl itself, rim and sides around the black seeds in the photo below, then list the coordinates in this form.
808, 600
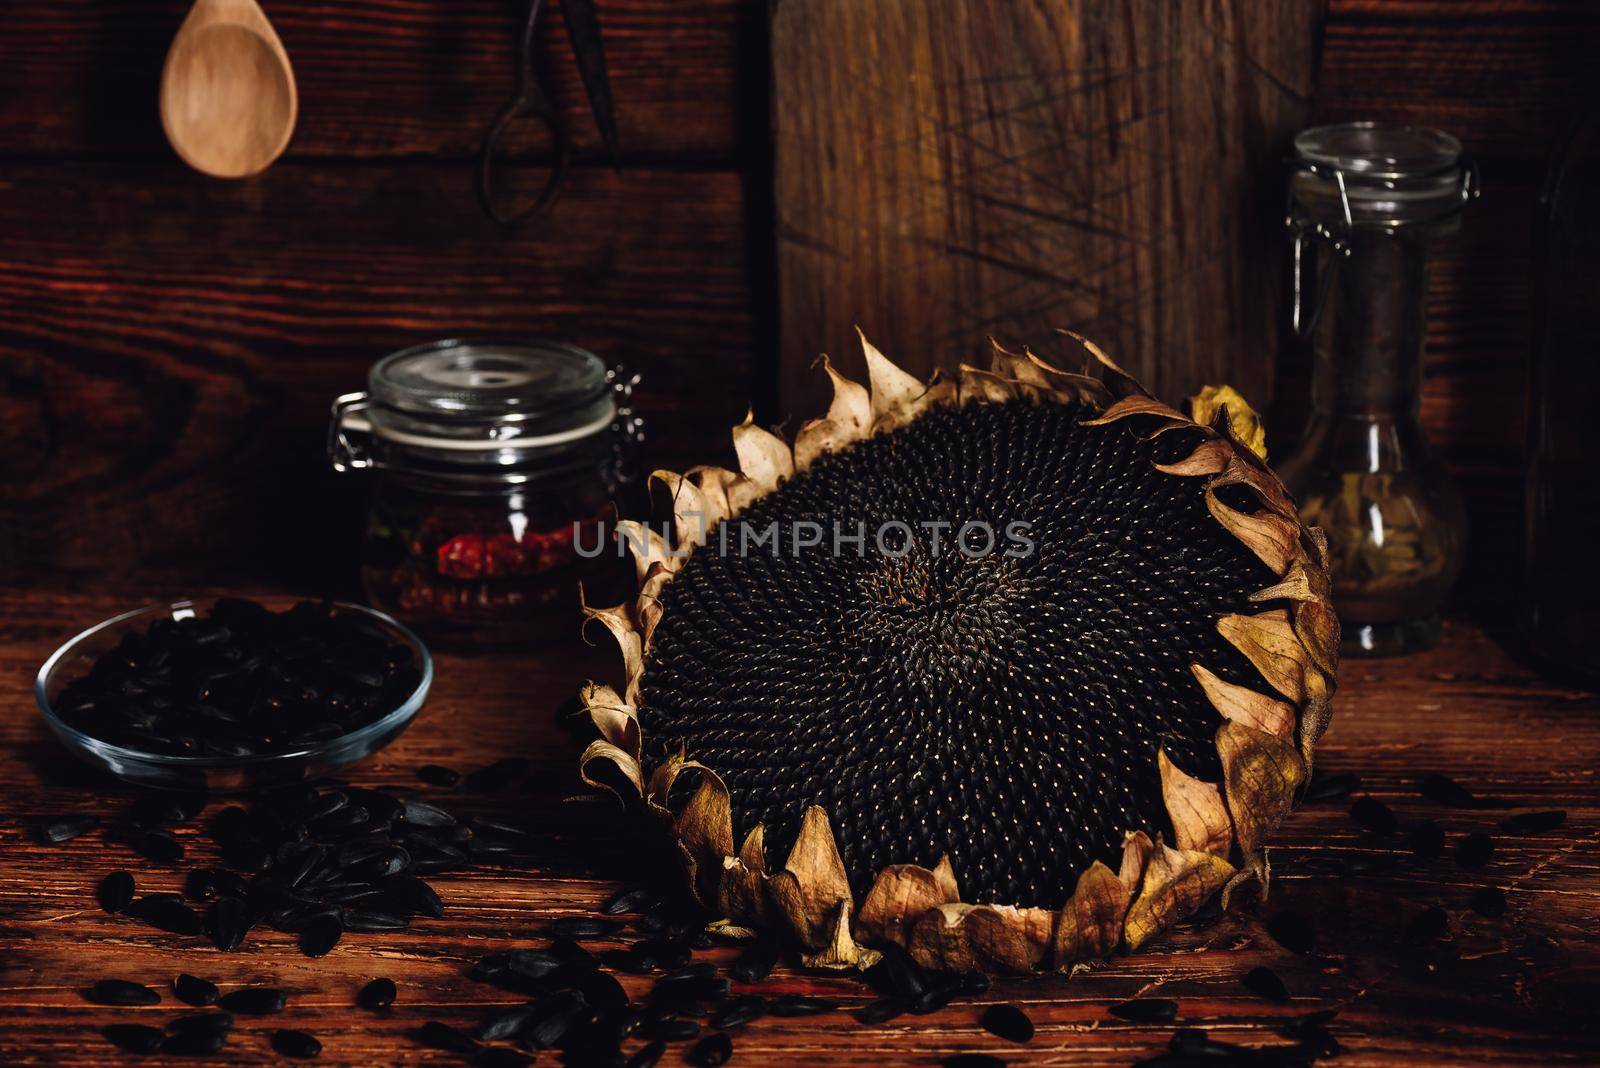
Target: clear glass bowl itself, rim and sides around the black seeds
218, 773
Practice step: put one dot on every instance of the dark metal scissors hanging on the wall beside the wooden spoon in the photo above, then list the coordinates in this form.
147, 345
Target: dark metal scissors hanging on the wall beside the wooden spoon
532, 100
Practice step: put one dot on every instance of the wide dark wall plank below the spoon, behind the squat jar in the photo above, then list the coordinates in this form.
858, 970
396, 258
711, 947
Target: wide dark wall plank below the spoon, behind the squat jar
172, 345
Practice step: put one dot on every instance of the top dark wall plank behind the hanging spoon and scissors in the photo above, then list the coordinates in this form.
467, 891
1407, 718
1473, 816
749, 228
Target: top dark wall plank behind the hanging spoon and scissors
401, 78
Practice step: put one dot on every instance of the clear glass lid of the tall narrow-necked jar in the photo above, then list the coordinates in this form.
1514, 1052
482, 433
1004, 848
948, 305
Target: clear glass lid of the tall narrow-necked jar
1380, 173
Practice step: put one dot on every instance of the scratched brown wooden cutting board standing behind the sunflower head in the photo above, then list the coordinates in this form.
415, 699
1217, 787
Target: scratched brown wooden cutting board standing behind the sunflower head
964, 170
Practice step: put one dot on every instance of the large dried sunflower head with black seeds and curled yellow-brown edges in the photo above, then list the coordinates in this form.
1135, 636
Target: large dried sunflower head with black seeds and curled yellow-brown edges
1015, 669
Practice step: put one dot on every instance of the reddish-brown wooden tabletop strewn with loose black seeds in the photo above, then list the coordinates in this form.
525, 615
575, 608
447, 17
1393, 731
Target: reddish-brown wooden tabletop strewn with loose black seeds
1522, 989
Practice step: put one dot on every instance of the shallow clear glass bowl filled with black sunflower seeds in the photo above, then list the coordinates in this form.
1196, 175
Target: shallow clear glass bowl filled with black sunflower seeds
231, 695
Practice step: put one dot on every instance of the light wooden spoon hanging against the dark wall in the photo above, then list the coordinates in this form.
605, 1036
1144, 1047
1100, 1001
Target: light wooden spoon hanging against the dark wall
228, 90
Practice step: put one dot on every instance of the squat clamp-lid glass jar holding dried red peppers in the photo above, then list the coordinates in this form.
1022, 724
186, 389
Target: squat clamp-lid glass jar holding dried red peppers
492, 464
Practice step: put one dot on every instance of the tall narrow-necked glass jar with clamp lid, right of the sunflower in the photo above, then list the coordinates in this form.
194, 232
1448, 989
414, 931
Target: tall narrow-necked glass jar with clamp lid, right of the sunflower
1366, 204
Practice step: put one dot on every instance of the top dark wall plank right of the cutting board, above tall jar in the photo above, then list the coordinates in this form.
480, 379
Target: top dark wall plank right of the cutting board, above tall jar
1500, 74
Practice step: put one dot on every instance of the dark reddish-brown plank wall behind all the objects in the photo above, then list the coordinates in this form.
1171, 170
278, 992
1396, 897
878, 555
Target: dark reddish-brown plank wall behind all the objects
169, 345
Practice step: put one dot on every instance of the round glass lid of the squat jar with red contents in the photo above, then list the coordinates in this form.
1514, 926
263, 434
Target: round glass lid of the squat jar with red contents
511, 393
